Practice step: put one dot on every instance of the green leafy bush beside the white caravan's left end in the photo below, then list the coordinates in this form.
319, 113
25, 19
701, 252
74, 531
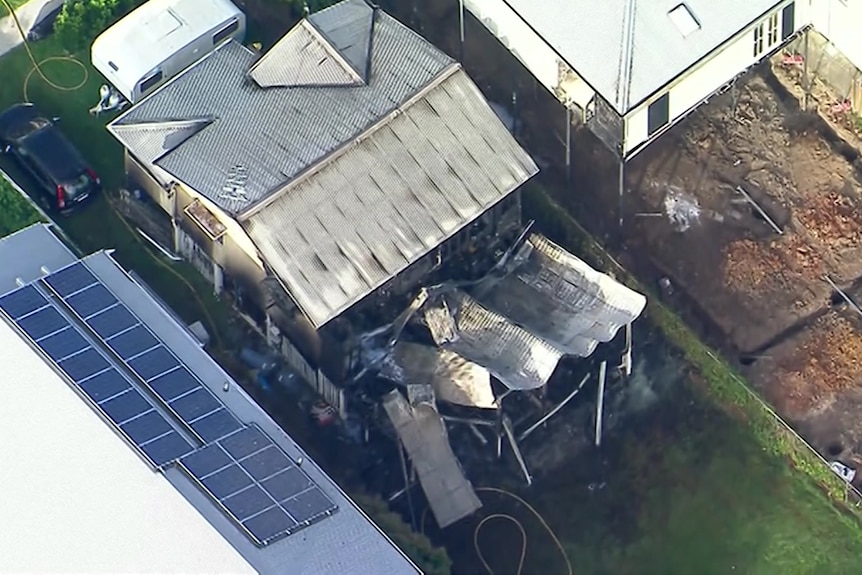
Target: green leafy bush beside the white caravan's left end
81, 21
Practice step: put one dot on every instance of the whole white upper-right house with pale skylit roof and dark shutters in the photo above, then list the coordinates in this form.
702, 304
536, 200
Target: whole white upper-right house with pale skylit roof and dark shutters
634, 68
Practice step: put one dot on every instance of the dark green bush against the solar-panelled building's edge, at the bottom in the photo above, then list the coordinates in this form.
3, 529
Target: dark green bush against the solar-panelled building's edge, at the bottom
432, 560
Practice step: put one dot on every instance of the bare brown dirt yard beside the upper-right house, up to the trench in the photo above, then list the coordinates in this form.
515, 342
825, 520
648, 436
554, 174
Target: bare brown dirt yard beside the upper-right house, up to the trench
778, 155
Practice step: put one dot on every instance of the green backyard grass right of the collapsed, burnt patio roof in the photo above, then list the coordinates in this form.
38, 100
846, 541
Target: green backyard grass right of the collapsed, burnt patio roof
714, 483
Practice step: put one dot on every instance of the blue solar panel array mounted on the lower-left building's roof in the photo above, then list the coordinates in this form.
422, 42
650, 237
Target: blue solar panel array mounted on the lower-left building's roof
250, 477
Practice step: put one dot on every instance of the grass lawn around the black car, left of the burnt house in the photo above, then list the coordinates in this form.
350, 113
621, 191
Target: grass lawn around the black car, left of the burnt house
97, 226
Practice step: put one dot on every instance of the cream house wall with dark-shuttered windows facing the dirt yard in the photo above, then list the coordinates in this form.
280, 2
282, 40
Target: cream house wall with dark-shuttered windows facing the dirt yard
699, 83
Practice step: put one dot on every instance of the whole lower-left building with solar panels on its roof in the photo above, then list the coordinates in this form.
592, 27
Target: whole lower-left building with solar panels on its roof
111, 467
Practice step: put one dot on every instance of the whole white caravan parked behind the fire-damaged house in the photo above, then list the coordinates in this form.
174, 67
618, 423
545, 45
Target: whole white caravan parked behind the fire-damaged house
158, 40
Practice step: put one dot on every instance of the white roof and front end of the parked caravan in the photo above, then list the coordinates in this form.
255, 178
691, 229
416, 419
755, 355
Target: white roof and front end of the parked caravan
152, 33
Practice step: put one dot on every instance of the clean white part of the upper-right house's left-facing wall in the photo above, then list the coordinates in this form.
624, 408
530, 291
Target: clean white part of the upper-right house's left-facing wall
513, 33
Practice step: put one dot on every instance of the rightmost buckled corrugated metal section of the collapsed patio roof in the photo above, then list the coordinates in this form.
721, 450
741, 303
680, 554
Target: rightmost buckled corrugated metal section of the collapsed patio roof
560, 298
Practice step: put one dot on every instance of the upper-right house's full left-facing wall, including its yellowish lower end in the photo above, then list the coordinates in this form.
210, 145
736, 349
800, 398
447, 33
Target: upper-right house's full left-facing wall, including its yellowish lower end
533, 52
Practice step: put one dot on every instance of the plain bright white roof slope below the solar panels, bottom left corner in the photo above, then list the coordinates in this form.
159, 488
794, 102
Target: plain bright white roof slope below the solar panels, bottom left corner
76, 498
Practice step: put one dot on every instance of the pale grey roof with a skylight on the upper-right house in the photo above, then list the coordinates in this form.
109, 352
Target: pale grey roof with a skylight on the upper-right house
595, 40
